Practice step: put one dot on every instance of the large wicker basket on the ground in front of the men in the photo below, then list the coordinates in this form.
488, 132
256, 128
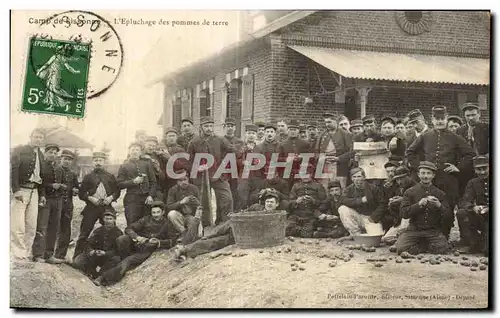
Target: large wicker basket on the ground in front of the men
258, 228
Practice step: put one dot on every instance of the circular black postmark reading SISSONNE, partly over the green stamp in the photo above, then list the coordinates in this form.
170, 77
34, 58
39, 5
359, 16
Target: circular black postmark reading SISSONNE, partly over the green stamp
106, 56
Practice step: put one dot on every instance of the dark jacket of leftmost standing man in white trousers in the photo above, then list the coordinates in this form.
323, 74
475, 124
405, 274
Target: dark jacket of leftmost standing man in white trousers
22, 165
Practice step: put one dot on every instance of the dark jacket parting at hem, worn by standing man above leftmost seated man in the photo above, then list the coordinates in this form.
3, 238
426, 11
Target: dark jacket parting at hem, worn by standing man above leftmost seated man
91, 181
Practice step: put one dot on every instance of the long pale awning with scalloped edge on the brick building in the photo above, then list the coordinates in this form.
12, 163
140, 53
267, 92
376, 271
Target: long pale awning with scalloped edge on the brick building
400, 67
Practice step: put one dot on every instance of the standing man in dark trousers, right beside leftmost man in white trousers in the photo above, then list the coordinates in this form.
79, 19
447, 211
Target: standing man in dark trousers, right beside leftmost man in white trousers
50, 214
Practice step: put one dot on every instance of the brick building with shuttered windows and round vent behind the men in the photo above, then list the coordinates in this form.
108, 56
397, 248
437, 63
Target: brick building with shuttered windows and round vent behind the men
299, 64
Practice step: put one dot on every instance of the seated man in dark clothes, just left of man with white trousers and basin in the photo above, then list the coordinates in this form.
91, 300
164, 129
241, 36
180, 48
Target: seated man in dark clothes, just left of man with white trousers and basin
328, 223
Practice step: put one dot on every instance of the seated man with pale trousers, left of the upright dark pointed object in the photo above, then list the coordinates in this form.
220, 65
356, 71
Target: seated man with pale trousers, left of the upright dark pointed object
182, 201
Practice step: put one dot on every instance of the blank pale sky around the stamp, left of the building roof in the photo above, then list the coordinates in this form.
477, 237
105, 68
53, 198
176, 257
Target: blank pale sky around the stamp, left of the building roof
131, 103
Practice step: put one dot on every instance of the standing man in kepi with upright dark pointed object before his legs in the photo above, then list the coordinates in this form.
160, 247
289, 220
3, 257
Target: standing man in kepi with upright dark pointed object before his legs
218, 147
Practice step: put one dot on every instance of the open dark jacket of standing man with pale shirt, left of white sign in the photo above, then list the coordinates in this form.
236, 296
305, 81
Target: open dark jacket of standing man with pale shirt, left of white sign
342, 141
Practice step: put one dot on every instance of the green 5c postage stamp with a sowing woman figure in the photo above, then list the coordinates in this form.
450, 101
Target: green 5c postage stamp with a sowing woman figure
56, 77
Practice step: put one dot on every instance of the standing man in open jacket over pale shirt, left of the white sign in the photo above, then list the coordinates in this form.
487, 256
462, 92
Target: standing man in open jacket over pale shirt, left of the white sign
337, 145
